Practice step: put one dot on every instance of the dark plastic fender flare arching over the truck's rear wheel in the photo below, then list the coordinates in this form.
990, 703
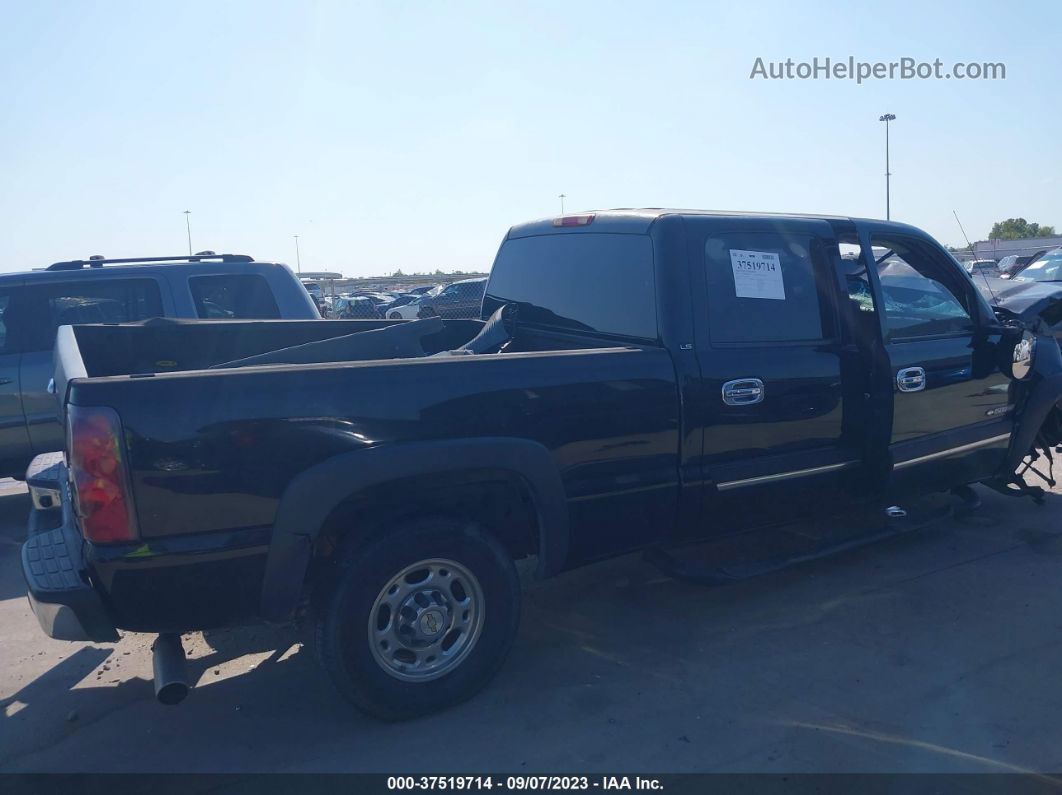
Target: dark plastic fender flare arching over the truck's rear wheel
315, 495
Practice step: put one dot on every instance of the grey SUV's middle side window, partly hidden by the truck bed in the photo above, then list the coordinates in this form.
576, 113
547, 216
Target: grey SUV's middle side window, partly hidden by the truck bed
70, 304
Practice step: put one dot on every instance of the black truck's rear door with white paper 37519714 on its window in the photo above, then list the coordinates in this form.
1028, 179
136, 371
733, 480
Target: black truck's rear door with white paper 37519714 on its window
782, 387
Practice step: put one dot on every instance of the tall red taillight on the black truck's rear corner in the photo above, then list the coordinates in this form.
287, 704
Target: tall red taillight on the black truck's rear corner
98, 474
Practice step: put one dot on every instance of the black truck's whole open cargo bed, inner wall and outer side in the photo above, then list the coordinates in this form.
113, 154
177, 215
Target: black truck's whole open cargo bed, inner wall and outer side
214, 450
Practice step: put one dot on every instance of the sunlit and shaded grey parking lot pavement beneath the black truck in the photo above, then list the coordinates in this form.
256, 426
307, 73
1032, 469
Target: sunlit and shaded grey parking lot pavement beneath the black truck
939, 651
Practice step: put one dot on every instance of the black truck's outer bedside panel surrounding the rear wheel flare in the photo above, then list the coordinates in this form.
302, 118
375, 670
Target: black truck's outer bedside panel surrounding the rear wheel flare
213, 452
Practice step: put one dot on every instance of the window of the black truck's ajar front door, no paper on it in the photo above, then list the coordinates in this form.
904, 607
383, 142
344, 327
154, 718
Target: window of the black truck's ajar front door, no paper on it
923, 295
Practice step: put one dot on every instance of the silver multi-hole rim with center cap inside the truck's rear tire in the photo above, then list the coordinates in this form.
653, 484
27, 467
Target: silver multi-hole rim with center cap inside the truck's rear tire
426, 620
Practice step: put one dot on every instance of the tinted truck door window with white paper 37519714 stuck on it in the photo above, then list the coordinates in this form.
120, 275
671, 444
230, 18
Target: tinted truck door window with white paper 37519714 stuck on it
766, 287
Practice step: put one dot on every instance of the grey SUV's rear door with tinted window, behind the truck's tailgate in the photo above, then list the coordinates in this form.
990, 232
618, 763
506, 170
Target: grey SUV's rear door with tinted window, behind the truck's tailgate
70, 303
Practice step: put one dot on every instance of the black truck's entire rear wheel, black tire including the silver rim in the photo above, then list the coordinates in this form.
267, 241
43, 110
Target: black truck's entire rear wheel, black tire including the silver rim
370, 664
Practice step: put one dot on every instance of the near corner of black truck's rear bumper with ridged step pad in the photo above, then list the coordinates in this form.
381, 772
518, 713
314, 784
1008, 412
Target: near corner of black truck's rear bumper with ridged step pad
66, 606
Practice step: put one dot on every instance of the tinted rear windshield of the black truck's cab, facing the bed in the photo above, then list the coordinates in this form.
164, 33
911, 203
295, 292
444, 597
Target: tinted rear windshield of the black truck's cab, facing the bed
587, 282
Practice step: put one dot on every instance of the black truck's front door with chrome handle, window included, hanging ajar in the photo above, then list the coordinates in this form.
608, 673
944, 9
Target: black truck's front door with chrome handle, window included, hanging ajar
952, 416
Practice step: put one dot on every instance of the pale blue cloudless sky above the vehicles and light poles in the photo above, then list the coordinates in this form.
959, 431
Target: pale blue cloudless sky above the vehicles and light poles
413, 135
